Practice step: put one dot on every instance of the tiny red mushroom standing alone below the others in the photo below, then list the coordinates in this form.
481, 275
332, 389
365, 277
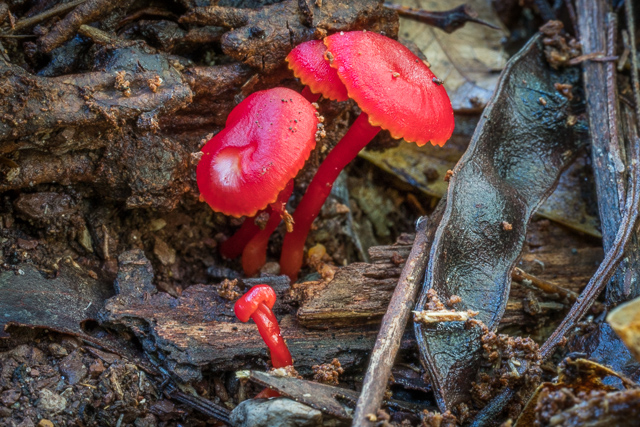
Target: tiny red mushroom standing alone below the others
257, 304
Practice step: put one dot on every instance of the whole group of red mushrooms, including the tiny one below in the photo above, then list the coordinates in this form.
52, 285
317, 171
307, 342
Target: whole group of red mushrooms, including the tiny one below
248, 168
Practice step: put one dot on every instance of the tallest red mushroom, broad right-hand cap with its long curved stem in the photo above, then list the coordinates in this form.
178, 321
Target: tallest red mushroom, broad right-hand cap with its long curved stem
396, 91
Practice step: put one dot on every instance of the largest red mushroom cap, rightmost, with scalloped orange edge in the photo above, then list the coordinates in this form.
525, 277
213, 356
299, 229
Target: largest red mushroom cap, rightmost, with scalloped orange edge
393, 86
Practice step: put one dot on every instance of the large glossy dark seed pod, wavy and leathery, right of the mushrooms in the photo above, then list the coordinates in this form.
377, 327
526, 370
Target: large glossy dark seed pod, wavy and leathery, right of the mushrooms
517, 153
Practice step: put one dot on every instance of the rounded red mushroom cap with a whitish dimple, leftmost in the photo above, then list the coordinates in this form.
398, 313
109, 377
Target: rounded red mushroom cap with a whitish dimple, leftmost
266, 141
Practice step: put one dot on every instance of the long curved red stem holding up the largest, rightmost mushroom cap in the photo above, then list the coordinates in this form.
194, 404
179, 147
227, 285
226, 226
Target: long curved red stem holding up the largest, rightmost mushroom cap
356, 138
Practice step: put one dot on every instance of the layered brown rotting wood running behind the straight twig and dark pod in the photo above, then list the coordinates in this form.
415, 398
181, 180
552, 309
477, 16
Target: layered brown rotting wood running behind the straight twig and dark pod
360, 292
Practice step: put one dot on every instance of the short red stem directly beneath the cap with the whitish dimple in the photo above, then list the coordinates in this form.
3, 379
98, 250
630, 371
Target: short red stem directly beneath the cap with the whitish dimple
254, 254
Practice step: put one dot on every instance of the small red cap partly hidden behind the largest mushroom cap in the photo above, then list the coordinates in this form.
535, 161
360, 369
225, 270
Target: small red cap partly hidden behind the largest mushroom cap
308, 63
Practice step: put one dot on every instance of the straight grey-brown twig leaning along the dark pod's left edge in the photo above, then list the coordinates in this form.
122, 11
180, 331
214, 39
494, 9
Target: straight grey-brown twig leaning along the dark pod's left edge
392, 328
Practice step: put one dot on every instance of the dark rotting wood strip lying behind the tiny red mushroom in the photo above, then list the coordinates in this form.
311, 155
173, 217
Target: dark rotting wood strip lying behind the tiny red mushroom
199, 328
